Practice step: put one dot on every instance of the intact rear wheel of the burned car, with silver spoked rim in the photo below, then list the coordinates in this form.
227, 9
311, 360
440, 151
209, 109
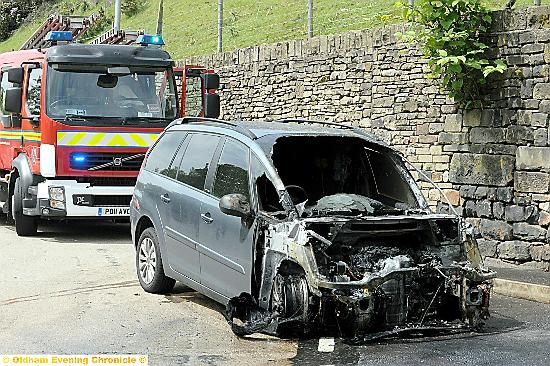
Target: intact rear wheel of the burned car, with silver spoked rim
150, 270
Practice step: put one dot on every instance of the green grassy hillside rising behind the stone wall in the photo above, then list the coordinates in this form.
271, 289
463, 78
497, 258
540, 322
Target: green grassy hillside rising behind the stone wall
190, 26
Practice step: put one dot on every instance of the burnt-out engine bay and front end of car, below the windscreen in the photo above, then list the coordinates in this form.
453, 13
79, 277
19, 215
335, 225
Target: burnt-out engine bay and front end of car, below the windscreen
370, 278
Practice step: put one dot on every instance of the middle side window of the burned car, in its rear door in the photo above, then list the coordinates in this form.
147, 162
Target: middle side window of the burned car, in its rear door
196, 160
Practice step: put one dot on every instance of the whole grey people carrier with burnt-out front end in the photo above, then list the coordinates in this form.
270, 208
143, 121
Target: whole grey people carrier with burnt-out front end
302, 225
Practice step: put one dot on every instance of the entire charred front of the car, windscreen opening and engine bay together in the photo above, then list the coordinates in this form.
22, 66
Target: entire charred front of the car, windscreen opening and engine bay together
363, 258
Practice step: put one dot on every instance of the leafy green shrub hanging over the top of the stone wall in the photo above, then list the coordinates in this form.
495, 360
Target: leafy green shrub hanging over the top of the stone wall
449, 33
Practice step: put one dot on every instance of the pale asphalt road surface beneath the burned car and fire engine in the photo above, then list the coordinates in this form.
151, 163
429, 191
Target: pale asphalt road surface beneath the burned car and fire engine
73, 290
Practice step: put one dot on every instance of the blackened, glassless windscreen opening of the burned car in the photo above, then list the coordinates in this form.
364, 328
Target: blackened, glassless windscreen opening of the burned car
342, 174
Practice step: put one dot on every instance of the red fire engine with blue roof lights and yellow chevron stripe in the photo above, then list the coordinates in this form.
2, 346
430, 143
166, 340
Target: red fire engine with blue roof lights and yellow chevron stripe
77, 119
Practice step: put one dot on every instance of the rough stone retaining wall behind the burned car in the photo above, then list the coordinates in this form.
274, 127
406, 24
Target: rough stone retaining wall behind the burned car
493, 164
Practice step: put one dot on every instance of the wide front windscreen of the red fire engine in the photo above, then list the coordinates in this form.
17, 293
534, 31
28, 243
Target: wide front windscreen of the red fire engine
90, 94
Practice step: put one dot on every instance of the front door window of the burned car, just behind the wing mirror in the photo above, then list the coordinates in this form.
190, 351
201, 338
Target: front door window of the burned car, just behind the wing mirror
232, 170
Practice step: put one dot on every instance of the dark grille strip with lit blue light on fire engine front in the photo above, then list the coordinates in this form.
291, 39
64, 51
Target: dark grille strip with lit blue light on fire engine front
101, 161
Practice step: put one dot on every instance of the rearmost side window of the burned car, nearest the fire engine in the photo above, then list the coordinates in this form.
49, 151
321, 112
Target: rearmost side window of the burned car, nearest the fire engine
160, 157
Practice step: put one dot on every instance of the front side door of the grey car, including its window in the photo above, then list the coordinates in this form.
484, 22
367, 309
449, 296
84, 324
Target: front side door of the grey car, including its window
226, 242
